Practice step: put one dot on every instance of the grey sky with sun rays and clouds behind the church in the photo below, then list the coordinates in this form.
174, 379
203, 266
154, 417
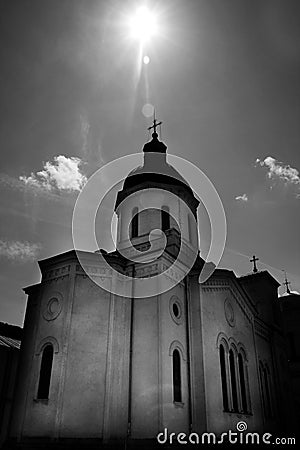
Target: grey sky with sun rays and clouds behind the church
224, 79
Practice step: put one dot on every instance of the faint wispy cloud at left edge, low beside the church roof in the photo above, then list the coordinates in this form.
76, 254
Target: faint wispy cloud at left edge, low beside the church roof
19, 251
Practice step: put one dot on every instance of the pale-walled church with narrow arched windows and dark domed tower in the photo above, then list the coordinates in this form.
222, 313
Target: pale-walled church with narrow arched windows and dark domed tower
100, 368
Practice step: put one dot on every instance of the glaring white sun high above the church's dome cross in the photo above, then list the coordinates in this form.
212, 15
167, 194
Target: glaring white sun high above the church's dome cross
143, 25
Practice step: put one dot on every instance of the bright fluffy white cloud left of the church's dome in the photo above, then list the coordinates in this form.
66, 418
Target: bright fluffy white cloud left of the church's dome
62, 174
